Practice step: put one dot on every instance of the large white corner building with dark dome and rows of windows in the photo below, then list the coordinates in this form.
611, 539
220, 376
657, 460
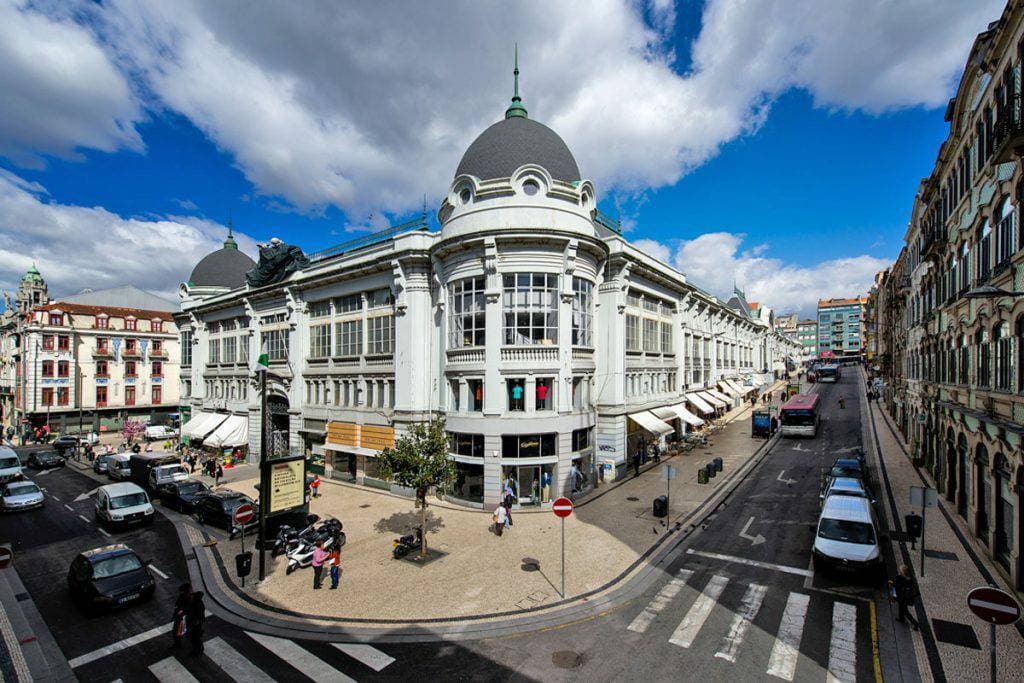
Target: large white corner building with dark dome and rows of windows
553, 348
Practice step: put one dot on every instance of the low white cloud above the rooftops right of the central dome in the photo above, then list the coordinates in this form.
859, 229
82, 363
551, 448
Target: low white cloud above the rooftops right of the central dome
715, 262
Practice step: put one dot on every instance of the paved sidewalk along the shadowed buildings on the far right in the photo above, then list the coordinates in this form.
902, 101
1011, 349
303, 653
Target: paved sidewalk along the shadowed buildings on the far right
953, 644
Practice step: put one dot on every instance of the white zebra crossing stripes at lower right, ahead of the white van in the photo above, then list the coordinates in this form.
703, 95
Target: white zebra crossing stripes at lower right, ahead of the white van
785, 655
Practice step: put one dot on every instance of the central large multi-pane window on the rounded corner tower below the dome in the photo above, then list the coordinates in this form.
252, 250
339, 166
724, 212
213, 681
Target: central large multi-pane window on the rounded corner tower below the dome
531, 307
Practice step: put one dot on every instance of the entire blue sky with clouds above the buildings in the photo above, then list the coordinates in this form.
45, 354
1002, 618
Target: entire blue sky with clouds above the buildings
775, 145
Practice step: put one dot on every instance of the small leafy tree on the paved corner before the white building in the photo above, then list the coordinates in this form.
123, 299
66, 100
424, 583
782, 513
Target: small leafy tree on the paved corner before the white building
420, 461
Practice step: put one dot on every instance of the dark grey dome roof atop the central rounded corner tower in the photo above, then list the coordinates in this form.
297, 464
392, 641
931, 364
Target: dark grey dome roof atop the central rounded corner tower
515, 142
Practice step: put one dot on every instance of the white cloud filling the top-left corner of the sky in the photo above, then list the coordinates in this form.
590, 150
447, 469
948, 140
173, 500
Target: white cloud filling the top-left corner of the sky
59, 91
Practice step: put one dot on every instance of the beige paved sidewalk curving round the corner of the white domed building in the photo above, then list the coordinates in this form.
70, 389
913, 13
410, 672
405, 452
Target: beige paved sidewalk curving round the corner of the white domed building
610, 540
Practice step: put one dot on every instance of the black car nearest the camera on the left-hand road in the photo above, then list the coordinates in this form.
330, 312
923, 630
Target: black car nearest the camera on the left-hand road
110, 577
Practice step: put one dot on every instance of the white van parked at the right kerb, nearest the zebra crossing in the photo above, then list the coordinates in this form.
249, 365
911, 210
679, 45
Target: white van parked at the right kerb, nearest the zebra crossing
847, 537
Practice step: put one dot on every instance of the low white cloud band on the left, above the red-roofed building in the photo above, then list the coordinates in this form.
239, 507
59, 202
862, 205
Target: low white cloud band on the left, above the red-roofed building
77, 247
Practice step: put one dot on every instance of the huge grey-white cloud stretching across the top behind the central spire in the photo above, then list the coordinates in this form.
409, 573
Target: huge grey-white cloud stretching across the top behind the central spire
368, 107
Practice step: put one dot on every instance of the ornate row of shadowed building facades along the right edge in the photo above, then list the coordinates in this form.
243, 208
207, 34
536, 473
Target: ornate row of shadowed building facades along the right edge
952, 350
